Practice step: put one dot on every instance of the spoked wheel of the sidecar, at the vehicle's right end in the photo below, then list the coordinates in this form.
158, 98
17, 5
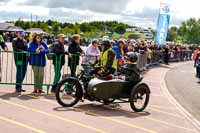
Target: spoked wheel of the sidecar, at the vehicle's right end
139, 98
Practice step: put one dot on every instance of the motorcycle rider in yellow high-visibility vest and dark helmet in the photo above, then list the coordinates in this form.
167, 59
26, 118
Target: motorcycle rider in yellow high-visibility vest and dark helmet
107, 59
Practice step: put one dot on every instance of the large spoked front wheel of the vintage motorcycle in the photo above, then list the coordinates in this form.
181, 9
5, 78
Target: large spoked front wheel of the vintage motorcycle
68, 93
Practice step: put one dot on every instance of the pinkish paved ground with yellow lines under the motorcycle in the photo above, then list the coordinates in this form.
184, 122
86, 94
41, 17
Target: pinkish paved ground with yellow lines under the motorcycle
30, 113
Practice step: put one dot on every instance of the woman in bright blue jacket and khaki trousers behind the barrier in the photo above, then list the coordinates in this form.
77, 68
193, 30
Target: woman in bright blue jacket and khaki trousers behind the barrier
37, 59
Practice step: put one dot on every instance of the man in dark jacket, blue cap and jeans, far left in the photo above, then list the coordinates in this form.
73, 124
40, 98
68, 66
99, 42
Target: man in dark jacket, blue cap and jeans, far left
21, 59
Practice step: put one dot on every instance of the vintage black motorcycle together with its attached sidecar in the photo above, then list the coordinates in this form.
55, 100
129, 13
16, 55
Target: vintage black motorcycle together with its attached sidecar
88, 86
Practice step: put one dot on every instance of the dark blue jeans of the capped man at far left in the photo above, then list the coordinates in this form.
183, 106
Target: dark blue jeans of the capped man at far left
20, 75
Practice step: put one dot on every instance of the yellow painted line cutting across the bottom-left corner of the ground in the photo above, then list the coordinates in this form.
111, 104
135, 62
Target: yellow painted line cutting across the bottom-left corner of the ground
21, 125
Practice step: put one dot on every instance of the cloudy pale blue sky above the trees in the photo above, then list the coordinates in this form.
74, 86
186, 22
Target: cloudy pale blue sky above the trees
134, 12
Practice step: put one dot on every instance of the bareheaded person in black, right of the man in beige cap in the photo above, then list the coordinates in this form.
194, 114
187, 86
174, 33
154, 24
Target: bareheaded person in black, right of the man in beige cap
75, 51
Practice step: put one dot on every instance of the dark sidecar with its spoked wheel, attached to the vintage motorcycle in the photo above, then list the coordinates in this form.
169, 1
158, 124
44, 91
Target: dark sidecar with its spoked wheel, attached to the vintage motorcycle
120, 91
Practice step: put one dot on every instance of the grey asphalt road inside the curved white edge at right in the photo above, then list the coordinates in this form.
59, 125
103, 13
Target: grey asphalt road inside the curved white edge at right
184, 86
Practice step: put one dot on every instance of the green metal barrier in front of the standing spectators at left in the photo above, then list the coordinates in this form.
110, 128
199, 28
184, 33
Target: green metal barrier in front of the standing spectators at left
9, 63
